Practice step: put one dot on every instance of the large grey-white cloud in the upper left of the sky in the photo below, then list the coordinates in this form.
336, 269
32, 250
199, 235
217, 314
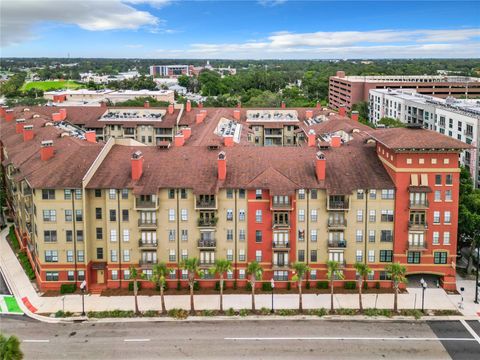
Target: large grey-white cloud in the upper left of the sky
19, 17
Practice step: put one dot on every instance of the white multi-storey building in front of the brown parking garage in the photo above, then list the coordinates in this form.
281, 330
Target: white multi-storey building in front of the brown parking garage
457, 118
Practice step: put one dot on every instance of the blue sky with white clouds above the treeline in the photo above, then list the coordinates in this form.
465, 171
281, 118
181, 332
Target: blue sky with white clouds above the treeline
240, 29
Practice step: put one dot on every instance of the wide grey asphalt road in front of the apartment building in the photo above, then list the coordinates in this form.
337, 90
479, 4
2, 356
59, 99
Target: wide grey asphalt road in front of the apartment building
274, 339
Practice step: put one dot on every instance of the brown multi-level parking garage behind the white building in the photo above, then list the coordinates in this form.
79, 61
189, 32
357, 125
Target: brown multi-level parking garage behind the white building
348, 90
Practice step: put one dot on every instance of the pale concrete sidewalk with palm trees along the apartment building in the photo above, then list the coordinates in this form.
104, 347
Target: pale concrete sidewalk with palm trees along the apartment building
22, 288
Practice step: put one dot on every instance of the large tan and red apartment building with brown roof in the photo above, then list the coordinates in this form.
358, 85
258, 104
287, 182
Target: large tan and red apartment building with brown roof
88, 209
